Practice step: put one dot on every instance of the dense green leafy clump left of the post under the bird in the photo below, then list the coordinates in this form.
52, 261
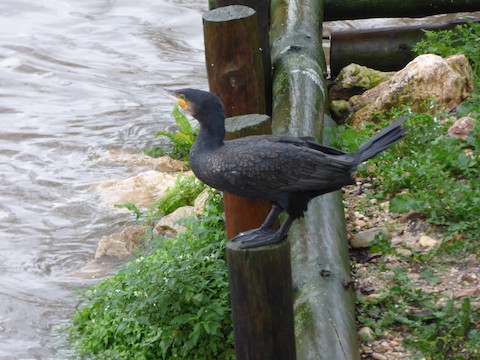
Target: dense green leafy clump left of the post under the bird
171, 304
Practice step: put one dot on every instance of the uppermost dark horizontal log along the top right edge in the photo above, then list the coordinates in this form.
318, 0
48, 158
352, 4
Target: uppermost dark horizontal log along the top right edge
362, 9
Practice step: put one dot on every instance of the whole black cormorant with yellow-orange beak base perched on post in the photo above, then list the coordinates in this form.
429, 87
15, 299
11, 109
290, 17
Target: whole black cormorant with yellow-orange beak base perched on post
287, 171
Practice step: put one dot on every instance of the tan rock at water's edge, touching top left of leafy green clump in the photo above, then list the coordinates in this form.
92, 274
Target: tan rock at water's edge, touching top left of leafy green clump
120, 245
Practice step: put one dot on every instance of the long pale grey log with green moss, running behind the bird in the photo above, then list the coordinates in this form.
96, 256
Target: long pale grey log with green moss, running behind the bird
325, 325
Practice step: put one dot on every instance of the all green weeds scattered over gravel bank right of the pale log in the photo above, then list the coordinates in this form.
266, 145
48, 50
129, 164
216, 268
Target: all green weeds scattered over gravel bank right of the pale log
437, 177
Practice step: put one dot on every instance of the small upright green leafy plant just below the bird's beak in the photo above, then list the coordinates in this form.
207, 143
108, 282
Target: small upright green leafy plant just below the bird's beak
182, 140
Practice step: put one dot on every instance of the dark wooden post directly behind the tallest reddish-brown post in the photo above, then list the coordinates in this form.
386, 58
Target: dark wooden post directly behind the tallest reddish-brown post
262, 8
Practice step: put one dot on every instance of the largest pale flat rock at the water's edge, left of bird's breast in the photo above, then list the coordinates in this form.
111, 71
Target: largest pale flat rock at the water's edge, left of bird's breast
142, 189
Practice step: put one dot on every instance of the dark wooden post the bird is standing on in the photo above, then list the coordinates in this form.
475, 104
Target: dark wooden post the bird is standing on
262, 301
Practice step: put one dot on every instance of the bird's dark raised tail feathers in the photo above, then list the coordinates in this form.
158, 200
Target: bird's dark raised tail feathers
384, 139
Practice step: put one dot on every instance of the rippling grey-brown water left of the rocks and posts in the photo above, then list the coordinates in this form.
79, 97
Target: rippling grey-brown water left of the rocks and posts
75, 81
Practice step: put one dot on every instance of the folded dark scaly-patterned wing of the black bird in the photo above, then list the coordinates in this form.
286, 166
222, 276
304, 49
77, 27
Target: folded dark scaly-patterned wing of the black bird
278, 164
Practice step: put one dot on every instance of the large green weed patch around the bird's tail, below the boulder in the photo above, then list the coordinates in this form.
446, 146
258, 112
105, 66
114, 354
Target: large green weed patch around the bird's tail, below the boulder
422, 169
